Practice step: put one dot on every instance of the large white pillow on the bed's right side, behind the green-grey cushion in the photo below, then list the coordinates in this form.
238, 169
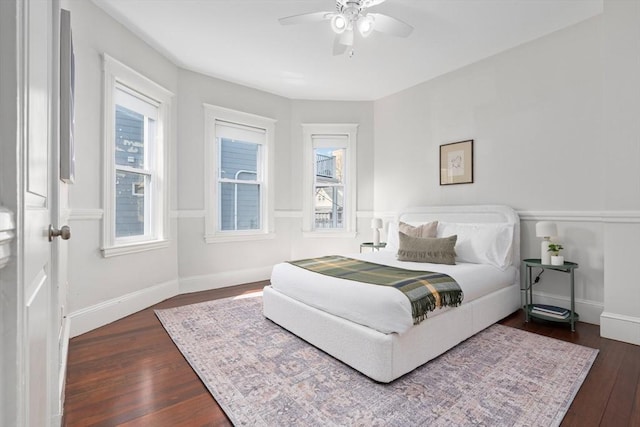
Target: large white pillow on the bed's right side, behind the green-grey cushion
481, 243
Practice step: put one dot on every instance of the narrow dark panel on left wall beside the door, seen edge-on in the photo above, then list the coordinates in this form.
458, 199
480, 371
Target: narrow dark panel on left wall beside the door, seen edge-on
67, 88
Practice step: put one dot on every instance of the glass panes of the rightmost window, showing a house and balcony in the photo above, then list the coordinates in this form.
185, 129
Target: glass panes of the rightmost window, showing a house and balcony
329, 187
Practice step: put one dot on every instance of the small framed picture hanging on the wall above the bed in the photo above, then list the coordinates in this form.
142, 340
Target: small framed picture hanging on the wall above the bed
456, 163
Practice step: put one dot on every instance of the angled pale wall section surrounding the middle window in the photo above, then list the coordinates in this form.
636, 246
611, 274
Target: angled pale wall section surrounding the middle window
202, 265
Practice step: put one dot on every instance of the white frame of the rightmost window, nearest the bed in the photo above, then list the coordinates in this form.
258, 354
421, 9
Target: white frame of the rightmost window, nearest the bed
349, 132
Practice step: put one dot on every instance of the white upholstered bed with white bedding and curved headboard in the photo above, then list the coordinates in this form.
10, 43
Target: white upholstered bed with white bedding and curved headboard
385, 350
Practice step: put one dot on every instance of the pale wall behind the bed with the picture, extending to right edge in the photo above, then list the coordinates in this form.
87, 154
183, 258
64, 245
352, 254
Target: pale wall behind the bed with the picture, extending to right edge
555, 124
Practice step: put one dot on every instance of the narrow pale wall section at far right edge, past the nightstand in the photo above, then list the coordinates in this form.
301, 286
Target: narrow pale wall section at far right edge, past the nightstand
621, 317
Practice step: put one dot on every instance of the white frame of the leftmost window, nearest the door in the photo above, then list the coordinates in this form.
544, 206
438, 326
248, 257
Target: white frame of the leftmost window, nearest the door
118, 75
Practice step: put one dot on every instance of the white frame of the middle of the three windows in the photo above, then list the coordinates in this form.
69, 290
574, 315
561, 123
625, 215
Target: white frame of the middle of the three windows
213, 114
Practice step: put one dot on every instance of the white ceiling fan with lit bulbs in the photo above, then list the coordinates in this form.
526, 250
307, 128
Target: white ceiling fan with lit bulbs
349, 16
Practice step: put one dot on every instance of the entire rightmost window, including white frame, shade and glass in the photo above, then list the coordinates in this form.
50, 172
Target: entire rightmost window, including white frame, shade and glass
330, 179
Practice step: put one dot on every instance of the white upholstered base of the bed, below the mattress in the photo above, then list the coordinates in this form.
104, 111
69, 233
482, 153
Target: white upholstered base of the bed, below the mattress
385, 357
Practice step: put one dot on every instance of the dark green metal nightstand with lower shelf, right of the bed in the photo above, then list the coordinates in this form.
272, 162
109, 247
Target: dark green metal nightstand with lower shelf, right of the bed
567, 267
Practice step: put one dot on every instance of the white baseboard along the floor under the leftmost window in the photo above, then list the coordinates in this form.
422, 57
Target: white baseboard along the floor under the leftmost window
93, 317
